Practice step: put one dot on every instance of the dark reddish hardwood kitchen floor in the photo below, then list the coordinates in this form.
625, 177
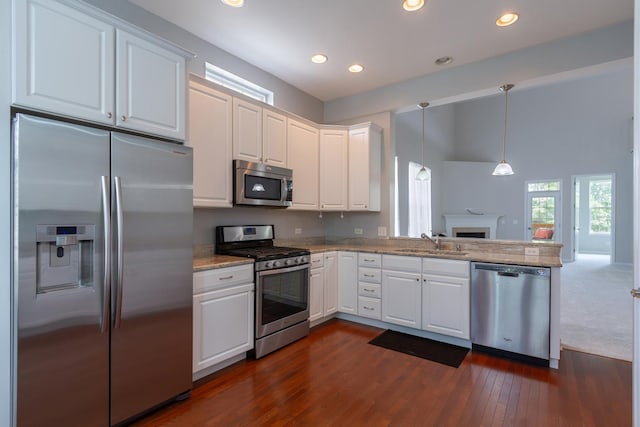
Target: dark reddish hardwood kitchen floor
335, 378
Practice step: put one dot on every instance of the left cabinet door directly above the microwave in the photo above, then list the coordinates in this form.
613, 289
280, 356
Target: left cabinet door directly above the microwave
247, 131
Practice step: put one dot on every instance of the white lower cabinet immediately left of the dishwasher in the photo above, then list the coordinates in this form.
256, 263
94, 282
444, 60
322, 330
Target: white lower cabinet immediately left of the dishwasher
446, 297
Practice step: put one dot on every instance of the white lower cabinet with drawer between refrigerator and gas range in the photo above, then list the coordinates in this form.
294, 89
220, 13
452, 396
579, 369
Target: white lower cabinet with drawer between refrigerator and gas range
223, 315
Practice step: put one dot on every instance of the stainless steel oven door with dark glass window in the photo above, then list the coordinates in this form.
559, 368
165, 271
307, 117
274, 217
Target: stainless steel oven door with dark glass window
282, 298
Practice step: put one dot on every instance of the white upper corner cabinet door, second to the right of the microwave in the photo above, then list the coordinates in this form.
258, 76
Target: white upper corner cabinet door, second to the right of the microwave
333, 169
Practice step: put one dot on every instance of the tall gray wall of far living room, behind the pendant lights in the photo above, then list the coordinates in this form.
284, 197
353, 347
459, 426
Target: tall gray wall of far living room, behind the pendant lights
556, 131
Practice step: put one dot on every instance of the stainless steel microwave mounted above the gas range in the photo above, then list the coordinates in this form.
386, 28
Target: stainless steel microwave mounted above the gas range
258, 184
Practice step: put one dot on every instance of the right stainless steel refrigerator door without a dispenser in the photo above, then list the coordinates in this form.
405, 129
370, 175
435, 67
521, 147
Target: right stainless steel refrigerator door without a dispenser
152, 292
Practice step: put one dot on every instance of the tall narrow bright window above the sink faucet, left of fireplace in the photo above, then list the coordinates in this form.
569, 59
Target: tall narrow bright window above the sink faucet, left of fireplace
419, 203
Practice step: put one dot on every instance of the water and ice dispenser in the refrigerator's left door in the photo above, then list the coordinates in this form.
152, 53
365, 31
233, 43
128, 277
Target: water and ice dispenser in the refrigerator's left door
64, 256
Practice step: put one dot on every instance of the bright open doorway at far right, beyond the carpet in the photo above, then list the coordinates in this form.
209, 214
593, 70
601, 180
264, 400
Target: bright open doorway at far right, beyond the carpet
593, 215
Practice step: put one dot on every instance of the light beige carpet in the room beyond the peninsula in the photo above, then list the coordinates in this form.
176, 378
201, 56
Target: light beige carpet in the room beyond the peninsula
596, 313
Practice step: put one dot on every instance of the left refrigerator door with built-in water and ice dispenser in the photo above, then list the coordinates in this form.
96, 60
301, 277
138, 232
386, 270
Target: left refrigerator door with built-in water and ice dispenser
59, 281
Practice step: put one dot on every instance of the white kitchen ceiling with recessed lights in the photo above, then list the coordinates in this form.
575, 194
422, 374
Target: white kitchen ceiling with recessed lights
279, 36
